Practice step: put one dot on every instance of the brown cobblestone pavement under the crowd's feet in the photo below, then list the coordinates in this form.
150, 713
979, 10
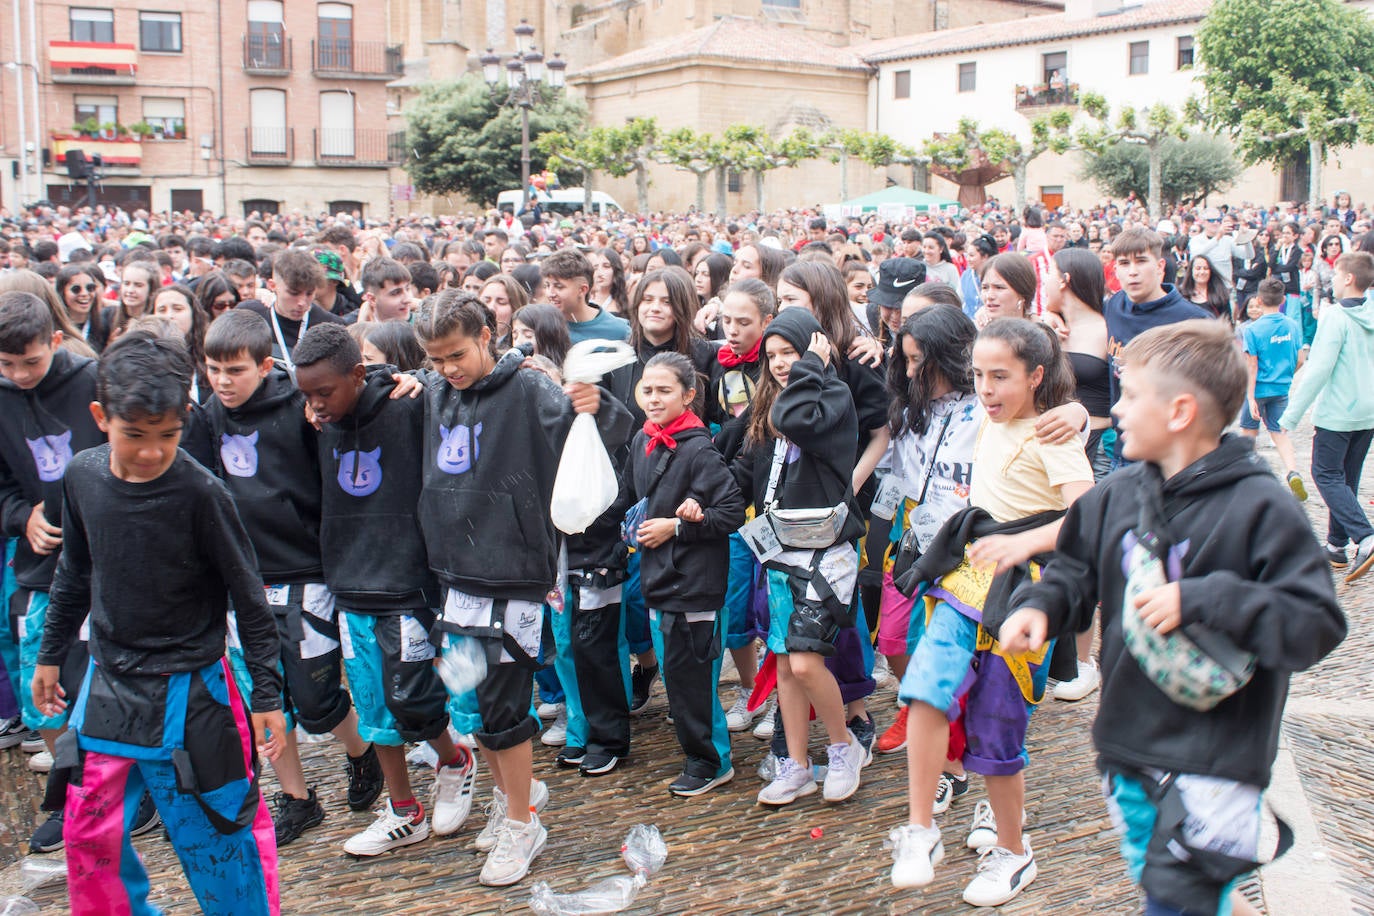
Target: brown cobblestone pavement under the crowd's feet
730, 856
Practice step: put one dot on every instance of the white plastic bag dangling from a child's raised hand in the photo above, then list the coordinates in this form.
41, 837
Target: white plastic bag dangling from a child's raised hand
586, 485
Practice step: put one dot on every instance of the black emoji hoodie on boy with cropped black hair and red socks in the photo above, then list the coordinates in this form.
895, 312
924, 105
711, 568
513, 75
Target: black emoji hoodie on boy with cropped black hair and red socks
370, 536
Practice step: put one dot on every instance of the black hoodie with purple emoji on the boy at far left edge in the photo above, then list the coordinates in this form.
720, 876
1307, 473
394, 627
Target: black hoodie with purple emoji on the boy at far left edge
41, 432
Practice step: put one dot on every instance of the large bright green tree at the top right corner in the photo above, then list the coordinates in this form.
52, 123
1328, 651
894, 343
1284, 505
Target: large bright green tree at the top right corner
1289, 76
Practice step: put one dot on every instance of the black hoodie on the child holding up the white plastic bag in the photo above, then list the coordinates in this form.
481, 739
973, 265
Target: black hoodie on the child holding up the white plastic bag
491, 455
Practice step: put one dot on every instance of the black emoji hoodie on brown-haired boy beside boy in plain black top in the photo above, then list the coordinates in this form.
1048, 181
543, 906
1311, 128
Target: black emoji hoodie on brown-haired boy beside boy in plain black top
269, 461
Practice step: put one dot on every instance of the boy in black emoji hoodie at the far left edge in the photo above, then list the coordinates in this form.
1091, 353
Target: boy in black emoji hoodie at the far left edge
45, 421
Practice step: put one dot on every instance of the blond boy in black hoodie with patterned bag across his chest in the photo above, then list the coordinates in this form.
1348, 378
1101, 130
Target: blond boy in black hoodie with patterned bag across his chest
1197, 554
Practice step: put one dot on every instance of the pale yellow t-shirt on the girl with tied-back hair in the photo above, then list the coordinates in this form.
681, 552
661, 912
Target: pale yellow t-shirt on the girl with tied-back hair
1015, 476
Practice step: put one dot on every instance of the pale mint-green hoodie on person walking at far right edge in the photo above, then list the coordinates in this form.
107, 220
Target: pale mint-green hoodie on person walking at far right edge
1338, 371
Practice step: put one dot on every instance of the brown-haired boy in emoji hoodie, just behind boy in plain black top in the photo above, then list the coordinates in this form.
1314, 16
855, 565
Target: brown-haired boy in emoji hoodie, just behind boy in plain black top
269, 461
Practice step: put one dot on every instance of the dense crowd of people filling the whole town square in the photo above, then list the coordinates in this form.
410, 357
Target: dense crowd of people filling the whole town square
241, 459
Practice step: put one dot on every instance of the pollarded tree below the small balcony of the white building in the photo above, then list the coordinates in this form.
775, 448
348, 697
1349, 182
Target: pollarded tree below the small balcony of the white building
975, 157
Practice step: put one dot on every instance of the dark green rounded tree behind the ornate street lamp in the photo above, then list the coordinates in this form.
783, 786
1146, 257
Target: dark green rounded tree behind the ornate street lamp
465, 144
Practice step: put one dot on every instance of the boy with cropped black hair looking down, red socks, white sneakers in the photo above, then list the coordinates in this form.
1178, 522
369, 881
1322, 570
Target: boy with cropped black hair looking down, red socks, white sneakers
370, 454
